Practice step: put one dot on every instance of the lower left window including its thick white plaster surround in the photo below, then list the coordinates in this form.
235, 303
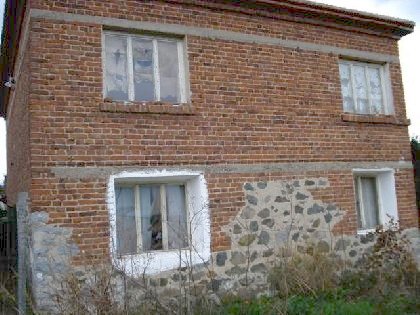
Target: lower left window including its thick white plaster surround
159, 220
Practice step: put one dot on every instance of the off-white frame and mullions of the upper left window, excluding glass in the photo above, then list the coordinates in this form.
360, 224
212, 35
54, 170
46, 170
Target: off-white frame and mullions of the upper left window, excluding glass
182, 65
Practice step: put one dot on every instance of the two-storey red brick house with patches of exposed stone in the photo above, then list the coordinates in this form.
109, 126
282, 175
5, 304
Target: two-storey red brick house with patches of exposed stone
146, 131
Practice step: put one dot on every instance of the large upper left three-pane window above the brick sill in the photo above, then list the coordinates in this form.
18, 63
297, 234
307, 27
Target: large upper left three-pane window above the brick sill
144, 68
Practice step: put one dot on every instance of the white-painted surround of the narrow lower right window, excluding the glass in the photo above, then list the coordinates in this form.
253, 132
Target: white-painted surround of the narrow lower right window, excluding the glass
386, 194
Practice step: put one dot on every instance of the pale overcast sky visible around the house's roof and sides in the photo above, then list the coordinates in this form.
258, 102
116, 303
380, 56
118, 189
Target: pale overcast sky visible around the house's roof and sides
409, 57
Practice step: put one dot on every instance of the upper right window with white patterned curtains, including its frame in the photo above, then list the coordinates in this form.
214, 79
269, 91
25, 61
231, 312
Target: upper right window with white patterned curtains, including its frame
365, 88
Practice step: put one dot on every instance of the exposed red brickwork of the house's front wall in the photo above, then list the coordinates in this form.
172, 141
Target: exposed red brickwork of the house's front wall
251, 104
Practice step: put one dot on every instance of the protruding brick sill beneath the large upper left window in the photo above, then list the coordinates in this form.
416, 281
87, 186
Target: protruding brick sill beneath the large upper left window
146, 107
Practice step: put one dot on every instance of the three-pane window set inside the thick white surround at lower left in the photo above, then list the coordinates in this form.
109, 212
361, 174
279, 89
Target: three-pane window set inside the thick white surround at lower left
150, 218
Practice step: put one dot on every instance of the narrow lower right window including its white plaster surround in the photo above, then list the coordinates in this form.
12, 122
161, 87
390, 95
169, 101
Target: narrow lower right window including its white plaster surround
376, 200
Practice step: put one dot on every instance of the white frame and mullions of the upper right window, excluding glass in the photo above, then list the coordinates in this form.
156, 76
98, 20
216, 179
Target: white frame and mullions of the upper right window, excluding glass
387, 99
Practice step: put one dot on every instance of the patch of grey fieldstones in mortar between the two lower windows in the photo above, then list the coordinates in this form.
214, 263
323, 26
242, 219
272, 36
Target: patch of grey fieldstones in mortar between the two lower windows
283, 215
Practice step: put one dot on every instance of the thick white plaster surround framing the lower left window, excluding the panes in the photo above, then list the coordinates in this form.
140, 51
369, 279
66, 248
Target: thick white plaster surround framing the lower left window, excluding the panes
151, 261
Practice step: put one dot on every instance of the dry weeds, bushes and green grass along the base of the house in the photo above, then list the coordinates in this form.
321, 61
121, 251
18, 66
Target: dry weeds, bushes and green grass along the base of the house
386, 281
